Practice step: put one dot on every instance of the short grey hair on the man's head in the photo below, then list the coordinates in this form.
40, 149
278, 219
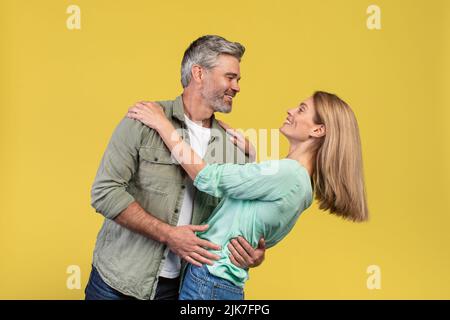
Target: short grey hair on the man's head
204, 51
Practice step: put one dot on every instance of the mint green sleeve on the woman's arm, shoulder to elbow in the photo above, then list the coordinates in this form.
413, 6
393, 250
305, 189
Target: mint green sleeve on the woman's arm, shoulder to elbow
263, 181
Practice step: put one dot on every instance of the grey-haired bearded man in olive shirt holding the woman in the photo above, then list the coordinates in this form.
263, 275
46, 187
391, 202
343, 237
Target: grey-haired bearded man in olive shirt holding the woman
151, 208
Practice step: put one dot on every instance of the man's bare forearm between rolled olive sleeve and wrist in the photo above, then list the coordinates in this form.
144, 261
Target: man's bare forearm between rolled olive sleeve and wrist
135, 218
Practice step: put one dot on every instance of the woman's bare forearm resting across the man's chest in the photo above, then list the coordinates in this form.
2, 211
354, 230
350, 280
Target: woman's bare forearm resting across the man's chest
191, 162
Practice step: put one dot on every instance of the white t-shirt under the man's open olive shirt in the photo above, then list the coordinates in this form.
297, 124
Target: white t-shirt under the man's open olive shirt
199, 138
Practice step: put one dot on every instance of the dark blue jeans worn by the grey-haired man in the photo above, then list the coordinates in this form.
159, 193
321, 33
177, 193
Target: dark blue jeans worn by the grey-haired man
97, 289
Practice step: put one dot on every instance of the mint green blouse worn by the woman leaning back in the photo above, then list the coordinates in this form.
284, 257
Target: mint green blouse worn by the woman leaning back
258, 199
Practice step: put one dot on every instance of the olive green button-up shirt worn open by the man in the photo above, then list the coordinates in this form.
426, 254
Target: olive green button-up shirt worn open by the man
137, 166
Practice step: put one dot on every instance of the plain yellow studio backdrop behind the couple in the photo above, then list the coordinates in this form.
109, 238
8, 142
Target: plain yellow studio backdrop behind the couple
63, 90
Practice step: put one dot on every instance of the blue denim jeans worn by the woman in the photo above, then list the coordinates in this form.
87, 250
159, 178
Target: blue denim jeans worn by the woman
199, 284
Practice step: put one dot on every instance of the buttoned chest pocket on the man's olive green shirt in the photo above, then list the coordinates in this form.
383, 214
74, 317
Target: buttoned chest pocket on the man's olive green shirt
157, 172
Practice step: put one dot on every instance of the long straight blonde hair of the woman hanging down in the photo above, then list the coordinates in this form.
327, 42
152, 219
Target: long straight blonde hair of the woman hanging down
338, 176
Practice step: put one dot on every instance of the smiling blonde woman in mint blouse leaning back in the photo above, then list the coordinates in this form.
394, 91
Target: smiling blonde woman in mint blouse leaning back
267, 198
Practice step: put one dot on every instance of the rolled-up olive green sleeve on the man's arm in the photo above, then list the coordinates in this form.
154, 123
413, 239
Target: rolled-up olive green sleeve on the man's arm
109, 194
